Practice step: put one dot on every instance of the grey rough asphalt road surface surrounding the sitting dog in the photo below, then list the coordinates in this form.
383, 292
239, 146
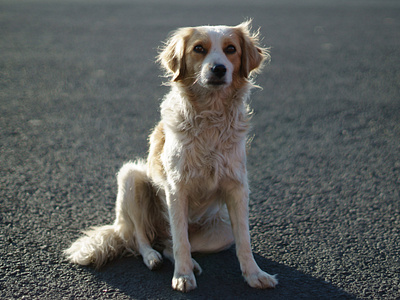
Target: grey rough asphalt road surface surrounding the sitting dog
79, 94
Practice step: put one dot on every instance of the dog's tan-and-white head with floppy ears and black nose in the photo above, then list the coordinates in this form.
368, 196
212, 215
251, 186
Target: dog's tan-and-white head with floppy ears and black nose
213, 57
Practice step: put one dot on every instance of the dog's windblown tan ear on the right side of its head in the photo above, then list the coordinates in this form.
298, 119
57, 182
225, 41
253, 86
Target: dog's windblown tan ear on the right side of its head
253, 55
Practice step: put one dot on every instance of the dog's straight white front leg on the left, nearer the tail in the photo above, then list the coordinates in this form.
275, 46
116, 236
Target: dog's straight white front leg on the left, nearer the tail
183, 279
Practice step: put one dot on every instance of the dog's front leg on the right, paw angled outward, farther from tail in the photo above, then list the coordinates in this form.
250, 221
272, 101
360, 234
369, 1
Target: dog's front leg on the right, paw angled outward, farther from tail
237, 198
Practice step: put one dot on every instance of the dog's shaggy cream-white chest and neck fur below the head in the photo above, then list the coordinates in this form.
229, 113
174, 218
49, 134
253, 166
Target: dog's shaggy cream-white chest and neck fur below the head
203, 148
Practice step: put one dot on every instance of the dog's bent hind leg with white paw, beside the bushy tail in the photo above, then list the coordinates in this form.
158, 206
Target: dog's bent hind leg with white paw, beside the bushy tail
136, 208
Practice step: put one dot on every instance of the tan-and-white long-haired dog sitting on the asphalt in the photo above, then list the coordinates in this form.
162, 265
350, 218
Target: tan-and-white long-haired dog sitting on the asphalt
192, 193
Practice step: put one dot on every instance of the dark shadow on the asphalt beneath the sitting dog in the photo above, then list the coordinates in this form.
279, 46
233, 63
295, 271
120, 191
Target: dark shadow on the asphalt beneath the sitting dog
221, 279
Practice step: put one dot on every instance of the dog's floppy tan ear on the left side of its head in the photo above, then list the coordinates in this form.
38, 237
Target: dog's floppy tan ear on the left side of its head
172, 55
